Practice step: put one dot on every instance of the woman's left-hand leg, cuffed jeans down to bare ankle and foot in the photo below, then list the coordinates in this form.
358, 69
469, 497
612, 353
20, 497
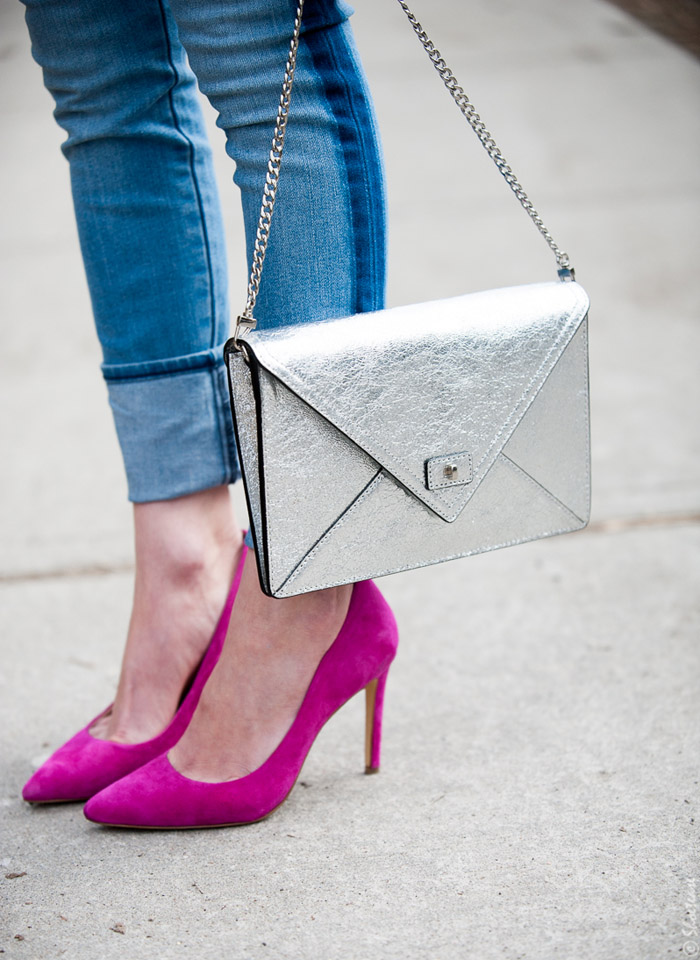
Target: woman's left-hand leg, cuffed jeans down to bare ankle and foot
152, 241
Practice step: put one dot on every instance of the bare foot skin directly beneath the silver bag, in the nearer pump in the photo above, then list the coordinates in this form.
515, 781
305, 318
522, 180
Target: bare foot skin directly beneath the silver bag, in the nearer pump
270, 655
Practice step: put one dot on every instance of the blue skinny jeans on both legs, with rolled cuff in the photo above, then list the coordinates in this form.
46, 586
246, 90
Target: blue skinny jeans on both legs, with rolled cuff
123, 76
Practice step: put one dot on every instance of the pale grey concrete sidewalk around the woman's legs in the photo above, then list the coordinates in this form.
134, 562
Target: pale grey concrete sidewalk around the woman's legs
538, 797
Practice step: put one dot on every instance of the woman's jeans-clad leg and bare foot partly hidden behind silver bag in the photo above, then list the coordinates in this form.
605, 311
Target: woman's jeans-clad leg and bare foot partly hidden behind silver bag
326, 258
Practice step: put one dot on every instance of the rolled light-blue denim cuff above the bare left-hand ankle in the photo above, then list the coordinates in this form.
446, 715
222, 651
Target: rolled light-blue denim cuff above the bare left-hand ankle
174, 425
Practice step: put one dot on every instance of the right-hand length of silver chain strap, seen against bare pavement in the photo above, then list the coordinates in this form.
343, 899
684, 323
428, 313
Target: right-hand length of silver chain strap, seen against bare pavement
487, 141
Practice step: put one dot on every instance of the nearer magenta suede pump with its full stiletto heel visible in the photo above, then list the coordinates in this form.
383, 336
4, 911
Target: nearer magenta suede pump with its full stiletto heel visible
157, 796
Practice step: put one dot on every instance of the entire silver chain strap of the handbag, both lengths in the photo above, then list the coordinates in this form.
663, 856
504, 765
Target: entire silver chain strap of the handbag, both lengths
246, 321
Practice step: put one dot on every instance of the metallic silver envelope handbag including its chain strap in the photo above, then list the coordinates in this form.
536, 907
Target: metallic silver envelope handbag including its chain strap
390, 440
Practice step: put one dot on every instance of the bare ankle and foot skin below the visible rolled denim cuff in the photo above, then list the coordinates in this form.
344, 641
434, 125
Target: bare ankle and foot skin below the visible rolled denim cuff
186, 554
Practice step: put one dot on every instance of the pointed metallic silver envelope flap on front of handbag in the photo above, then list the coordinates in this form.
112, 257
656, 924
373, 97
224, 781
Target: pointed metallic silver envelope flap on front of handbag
432, 385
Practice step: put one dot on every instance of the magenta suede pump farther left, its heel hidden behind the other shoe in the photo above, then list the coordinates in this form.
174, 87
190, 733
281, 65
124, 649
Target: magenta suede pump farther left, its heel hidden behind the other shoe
85, 765
